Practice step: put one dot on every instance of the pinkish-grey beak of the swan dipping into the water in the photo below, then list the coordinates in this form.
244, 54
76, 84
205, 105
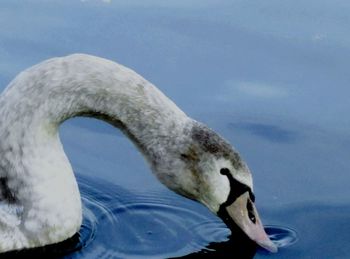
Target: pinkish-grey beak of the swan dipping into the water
243, 212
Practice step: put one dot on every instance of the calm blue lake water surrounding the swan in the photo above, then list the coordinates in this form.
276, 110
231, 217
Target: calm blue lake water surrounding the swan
271, 77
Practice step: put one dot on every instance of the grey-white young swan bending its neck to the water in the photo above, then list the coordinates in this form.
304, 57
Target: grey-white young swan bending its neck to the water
40, 202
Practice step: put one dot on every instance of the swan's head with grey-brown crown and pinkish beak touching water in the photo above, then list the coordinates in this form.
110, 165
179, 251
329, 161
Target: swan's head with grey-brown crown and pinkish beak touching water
207, 169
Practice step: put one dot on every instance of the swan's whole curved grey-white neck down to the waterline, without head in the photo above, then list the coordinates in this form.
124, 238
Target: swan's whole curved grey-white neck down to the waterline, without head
33, 166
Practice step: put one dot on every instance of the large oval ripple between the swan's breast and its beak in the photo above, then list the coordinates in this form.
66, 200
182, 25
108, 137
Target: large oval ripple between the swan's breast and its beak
159, 230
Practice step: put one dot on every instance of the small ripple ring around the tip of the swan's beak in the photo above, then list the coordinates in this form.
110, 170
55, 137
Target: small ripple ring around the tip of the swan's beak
281, 236
